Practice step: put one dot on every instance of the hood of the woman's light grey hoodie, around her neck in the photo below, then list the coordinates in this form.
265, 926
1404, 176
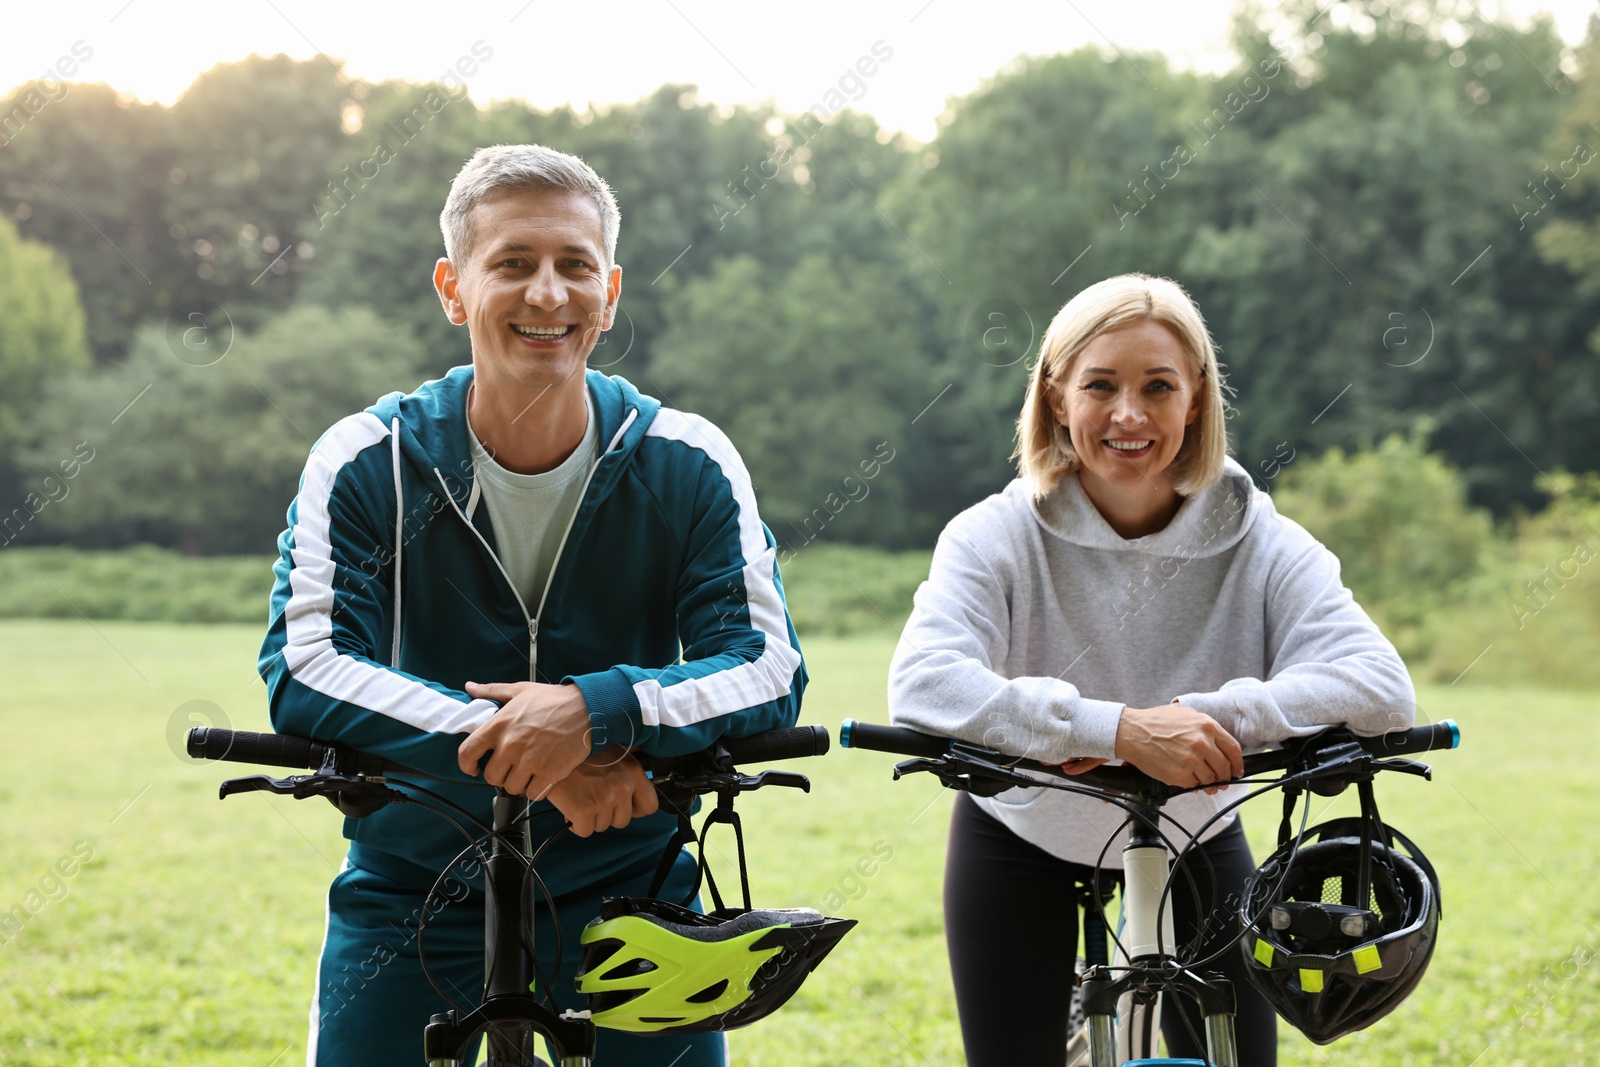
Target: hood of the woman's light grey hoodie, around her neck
1210, 522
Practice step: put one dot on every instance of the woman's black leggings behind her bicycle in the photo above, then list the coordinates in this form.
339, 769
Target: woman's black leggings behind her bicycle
1012, 932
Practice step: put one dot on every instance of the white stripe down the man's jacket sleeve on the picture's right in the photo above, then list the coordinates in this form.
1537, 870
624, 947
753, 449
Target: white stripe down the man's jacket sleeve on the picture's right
770, 676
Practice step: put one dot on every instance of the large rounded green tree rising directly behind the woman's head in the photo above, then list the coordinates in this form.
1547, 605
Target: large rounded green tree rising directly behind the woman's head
1041, 183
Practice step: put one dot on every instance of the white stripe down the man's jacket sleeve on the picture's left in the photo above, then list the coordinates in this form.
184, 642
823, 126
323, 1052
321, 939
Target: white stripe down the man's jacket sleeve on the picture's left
310, 652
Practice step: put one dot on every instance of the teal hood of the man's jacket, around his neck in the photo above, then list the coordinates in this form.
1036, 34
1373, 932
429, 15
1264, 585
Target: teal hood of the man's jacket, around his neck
434, 433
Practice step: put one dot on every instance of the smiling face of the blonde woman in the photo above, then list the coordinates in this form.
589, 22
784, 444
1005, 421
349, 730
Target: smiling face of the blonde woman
1127, 402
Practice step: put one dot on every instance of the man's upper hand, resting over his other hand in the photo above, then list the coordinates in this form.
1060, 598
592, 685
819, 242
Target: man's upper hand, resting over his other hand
538, 737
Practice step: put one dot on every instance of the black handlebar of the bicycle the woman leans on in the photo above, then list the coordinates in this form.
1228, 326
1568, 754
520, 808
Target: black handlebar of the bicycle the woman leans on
913, 743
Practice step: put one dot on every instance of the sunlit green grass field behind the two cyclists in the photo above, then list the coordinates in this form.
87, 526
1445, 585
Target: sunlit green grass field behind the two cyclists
162, 927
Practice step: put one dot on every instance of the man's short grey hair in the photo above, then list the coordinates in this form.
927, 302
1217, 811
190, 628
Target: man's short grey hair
522, 167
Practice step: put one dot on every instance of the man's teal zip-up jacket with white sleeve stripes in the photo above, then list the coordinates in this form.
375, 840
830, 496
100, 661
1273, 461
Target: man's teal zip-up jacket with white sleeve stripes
665, 607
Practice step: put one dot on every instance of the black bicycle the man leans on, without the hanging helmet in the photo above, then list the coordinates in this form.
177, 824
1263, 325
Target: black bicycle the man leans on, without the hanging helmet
511, 1017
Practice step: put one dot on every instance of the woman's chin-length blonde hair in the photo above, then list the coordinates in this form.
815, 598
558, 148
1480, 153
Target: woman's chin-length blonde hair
1044, 450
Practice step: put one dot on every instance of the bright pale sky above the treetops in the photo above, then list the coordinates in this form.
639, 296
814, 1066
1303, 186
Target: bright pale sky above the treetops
550, 54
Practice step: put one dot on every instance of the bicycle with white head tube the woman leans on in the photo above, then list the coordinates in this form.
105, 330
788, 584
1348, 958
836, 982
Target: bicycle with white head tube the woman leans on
1122, 1002
